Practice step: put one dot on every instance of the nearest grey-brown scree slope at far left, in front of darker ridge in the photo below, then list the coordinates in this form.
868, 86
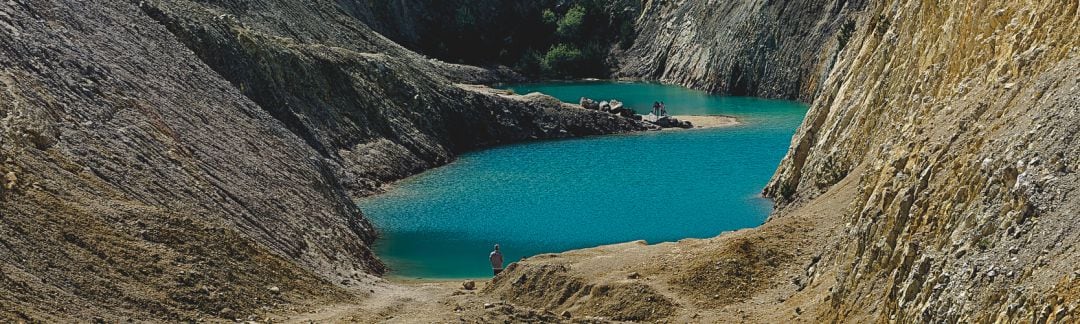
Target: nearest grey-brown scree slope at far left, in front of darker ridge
141, 185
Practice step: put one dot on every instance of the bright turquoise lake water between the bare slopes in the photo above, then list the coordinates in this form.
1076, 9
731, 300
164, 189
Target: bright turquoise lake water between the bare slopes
563, 195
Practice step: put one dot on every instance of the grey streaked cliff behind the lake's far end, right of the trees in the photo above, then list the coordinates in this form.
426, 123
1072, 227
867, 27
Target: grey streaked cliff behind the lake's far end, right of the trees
767, 49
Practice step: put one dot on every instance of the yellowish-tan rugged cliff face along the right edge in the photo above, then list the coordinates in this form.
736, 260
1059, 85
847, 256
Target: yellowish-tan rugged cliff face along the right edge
963, 118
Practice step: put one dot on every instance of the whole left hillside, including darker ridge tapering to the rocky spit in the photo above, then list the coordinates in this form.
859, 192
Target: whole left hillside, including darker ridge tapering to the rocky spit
173, 160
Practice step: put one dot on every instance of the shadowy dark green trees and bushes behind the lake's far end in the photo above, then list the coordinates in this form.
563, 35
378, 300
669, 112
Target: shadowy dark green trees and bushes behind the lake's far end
545, 39
